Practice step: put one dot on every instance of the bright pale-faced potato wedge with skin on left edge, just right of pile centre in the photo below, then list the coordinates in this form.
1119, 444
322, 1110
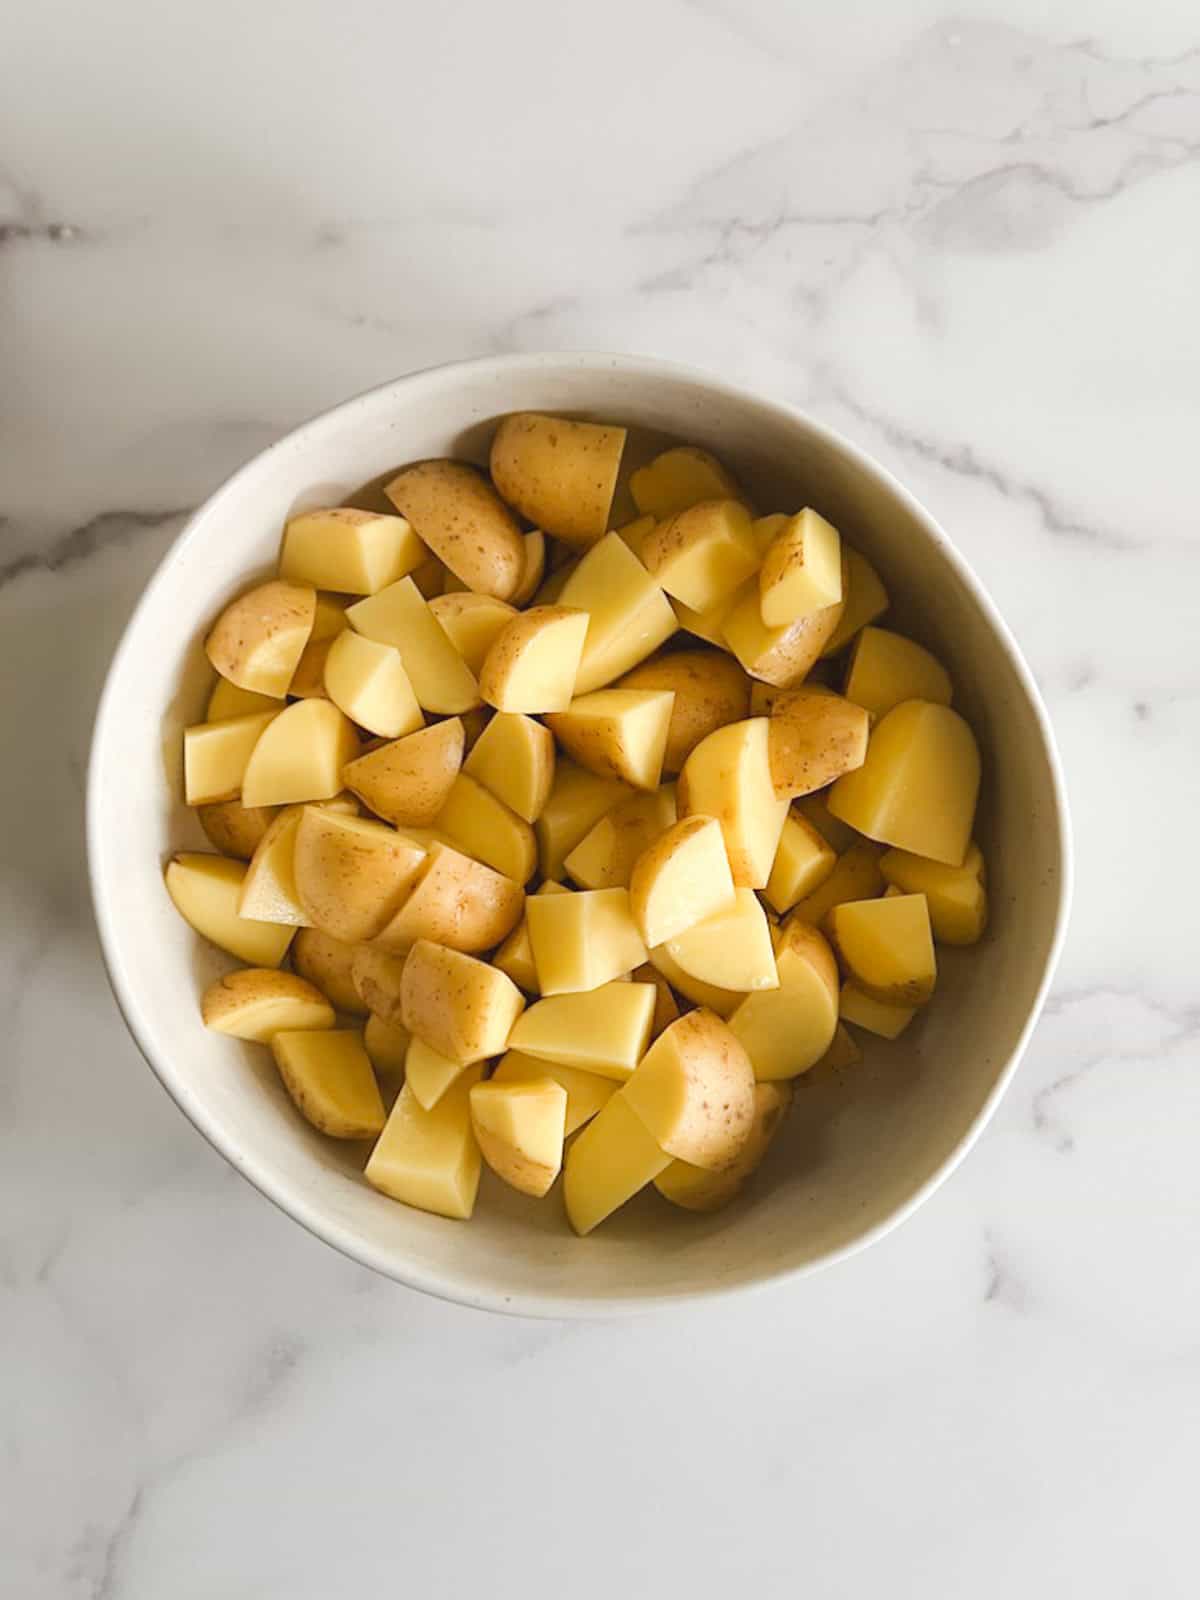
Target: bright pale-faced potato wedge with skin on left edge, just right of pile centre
681, 879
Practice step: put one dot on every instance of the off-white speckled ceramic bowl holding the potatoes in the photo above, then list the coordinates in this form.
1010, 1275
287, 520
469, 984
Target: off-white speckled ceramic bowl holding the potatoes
858, 1153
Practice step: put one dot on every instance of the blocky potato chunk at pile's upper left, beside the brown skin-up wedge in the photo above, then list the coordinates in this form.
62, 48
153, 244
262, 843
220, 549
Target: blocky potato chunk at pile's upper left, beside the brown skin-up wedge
350, 551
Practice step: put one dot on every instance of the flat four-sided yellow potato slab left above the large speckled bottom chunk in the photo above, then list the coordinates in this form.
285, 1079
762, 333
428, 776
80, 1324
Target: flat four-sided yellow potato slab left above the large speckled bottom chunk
602, 1031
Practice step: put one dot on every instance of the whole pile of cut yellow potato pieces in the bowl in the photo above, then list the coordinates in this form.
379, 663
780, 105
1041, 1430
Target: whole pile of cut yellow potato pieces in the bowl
434, 708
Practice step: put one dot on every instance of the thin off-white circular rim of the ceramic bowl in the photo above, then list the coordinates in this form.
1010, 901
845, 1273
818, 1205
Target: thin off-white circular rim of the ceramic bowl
444, 1286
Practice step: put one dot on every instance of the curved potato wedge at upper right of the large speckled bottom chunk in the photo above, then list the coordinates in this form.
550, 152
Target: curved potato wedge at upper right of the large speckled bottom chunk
786, 1031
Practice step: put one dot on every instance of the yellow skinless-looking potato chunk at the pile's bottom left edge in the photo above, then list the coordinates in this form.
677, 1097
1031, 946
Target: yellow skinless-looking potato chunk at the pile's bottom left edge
430, 1159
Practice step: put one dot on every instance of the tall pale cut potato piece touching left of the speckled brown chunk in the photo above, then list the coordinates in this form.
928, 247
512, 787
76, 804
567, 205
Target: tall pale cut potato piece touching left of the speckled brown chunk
729, 777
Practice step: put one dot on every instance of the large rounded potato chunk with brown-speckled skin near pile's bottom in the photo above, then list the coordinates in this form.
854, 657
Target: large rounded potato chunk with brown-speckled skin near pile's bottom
694, 1092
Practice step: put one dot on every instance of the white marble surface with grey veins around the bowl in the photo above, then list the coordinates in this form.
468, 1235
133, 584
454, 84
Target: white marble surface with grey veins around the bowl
970, 244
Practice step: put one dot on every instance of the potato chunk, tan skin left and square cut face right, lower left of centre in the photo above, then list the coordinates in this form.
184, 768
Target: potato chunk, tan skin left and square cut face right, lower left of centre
460, 1007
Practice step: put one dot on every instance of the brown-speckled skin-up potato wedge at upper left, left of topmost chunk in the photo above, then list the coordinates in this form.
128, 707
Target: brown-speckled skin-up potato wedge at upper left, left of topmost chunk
465, 522
